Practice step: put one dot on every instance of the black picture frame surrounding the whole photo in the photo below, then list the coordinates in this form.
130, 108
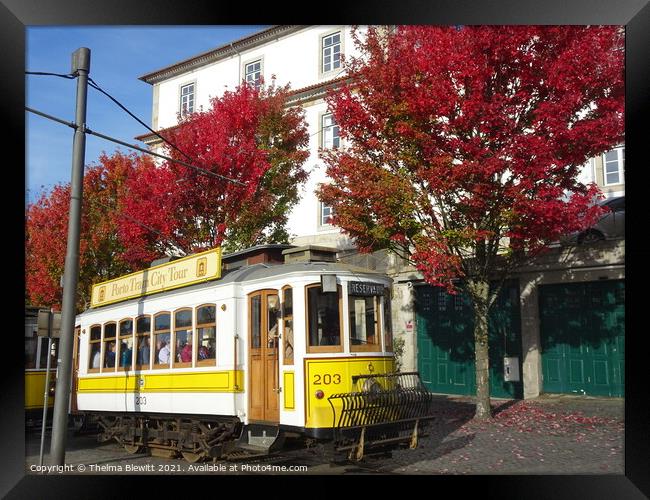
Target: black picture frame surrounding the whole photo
15, 15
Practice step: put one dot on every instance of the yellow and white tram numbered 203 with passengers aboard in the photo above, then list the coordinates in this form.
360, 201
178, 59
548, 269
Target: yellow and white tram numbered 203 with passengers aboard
184, 358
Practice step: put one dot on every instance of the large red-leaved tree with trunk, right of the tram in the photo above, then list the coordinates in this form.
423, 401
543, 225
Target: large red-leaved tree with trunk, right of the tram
463, 145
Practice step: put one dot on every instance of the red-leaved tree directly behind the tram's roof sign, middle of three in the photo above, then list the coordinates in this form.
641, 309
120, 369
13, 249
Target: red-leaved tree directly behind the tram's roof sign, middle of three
248, 135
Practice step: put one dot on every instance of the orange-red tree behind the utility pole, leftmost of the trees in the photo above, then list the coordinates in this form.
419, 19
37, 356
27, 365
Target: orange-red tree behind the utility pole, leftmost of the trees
100, 251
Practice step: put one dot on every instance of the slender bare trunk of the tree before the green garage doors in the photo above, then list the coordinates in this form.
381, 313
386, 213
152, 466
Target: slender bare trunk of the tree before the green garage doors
480, 294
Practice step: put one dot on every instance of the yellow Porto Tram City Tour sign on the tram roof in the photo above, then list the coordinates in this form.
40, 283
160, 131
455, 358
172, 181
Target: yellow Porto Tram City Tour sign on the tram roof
189, 270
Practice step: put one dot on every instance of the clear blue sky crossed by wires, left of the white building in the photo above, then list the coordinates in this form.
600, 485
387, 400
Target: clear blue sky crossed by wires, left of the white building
119, 55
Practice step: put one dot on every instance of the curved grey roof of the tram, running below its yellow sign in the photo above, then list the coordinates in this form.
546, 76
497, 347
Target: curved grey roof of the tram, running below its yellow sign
256, 272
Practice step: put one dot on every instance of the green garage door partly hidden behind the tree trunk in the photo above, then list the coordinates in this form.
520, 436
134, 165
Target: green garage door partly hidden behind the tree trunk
446, 346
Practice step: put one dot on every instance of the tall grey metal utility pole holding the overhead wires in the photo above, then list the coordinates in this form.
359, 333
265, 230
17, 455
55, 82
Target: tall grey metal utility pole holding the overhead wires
80, 66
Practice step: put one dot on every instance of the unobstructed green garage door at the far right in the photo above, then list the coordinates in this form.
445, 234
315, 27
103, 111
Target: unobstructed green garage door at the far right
582, 329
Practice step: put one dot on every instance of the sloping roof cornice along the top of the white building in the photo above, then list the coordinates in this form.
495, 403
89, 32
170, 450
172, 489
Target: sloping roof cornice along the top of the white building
214, 55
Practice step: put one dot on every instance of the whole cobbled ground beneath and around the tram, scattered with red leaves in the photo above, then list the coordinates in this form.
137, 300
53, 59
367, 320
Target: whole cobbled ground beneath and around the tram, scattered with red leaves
547, 435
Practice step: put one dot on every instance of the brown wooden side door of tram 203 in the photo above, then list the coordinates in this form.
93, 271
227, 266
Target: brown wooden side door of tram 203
263, 356
